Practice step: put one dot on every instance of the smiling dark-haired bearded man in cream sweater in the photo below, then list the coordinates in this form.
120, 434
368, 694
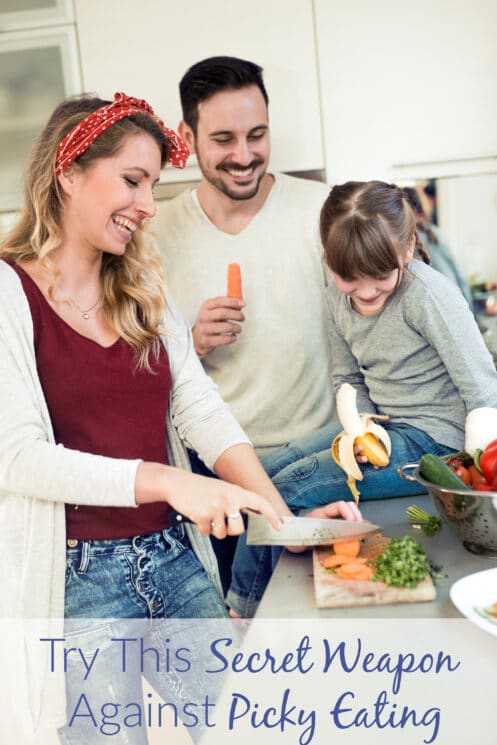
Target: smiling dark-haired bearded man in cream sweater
269, 354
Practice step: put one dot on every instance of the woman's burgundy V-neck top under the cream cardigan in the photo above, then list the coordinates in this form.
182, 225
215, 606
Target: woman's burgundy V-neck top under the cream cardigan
100, 403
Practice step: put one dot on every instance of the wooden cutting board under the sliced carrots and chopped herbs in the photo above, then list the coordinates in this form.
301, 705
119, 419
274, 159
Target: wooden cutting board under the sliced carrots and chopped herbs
333, 592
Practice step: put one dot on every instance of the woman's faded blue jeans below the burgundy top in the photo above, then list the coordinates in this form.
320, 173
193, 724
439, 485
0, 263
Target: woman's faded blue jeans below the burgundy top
150, 590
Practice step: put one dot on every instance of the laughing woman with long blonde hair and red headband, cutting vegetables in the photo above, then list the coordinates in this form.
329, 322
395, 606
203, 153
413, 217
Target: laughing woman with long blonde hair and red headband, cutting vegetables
93, 362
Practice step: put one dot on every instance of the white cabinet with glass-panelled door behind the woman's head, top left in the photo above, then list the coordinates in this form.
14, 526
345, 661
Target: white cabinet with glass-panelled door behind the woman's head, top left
39, 66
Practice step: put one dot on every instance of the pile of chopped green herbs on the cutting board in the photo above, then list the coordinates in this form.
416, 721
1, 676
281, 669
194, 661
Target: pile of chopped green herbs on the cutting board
402, 564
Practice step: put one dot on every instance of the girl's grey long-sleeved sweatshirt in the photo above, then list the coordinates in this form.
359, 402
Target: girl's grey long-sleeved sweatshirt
422, 360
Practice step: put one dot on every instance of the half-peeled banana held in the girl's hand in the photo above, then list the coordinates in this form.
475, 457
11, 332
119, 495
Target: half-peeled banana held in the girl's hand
358, 430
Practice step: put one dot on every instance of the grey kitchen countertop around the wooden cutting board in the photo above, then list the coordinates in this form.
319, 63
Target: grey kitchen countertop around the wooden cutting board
290, 592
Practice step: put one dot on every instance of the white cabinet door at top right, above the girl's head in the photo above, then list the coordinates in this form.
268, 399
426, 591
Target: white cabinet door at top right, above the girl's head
406, 83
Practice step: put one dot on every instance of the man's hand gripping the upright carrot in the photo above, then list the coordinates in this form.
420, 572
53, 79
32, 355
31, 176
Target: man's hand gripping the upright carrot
216, 324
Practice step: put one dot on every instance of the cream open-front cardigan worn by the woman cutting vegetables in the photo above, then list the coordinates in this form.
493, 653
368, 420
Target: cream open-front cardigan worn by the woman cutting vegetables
37, 477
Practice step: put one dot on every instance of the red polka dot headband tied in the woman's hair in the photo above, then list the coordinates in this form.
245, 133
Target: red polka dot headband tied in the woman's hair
83, 134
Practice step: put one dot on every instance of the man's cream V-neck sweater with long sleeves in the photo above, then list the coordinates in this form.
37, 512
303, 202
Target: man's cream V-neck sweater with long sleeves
276, 377
